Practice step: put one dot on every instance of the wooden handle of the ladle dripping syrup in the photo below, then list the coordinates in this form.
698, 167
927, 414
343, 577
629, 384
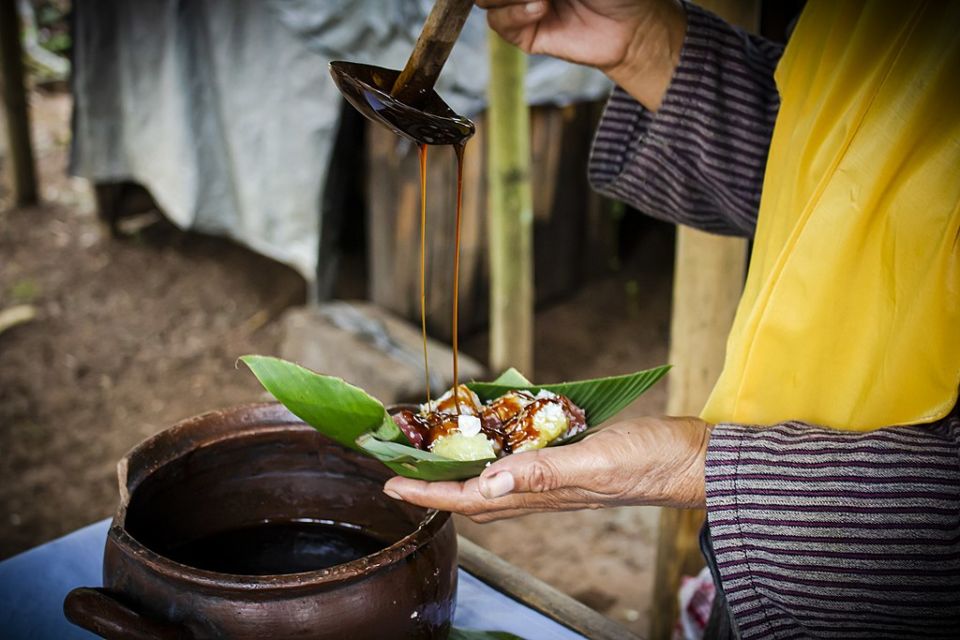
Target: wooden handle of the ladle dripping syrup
439, 33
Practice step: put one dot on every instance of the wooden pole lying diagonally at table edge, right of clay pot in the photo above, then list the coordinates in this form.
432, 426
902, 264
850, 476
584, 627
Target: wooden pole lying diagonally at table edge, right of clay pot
538, 595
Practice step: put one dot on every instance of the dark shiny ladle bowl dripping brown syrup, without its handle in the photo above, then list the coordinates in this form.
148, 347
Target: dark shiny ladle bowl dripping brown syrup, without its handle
367, 88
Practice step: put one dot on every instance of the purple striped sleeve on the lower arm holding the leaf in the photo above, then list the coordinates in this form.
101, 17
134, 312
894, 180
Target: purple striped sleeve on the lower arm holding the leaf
825, 534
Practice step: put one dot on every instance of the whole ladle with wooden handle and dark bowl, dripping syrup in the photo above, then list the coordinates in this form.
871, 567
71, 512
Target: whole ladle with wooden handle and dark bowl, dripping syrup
405, 101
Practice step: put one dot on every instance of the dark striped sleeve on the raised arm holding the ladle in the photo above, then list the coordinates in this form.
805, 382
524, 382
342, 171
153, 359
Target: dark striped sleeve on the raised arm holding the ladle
699, 159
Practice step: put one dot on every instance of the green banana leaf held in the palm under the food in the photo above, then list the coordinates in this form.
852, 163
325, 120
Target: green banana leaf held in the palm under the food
350, 416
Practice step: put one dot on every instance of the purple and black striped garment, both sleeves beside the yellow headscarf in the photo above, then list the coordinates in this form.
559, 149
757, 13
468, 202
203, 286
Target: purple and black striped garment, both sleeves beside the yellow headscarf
817, 533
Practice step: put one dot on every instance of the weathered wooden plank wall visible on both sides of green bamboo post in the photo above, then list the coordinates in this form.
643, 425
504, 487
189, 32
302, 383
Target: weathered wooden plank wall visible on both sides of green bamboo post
574, 232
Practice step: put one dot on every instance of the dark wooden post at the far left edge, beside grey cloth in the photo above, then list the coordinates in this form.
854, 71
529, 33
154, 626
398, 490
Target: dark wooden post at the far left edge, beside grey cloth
14, 99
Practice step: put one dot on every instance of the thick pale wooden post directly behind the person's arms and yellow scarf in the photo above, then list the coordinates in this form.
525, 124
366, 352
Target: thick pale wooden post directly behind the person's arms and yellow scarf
708, 280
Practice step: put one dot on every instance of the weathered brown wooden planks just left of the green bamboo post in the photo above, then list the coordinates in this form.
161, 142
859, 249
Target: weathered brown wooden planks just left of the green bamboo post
393, 203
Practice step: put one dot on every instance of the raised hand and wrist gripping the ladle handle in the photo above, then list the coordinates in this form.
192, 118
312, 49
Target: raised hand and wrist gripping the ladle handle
635, 42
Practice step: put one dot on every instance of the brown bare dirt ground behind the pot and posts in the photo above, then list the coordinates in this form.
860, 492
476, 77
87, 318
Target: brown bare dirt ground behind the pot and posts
137, 332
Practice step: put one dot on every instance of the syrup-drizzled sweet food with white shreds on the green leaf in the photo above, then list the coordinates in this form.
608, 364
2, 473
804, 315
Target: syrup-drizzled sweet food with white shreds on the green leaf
461, 427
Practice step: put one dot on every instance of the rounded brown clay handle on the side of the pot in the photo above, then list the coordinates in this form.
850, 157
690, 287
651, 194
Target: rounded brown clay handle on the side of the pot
98, 611
